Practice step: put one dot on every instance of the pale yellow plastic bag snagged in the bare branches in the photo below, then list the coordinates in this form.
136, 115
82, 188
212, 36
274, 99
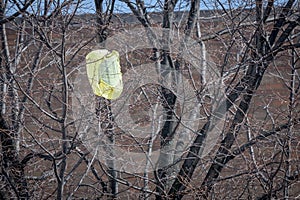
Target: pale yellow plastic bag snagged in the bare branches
104, 73
